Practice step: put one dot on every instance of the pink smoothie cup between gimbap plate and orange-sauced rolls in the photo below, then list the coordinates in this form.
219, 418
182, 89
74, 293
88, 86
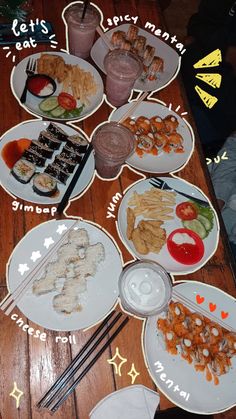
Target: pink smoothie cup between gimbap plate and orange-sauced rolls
113, 144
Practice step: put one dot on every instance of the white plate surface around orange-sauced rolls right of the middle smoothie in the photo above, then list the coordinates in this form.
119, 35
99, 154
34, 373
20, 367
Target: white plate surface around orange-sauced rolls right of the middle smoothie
163, 162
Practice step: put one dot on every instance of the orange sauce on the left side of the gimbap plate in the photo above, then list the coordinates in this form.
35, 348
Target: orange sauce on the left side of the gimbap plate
13, 151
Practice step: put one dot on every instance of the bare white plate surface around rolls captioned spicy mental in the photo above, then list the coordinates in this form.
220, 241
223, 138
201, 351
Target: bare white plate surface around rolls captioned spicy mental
163, 50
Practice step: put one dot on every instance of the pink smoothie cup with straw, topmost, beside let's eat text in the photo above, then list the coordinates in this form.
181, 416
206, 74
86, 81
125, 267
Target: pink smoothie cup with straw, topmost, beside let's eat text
81, 33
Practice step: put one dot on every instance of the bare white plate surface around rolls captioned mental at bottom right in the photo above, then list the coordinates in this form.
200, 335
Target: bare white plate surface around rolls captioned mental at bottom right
204, 396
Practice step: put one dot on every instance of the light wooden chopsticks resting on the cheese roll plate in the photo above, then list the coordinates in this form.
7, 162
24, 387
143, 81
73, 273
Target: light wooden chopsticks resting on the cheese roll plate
11, 300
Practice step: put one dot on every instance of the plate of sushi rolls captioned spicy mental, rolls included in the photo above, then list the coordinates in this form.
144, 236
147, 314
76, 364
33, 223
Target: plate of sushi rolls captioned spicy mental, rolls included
161, 63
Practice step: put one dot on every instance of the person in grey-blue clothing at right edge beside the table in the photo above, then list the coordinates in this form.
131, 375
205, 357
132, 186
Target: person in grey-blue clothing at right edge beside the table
223, 176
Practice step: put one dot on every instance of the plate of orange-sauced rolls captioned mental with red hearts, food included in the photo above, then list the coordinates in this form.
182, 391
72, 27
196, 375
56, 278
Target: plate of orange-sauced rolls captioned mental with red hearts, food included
197, 336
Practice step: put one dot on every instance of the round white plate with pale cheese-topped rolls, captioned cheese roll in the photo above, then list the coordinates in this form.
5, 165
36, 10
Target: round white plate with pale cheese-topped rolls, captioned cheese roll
71, 270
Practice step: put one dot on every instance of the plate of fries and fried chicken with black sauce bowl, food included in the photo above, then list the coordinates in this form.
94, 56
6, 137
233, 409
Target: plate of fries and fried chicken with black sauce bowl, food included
60, 87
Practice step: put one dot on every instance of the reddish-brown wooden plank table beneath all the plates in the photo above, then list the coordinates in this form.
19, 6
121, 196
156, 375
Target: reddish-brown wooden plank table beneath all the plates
34, 365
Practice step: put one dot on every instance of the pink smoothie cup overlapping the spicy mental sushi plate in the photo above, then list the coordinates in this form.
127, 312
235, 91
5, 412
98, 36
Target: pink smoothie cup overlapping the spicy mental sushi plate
122, 68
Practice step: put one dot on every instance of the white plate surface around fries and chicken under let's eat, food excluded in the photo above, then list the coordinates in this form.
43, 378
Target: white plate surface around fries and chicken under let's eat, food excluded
18, 79
